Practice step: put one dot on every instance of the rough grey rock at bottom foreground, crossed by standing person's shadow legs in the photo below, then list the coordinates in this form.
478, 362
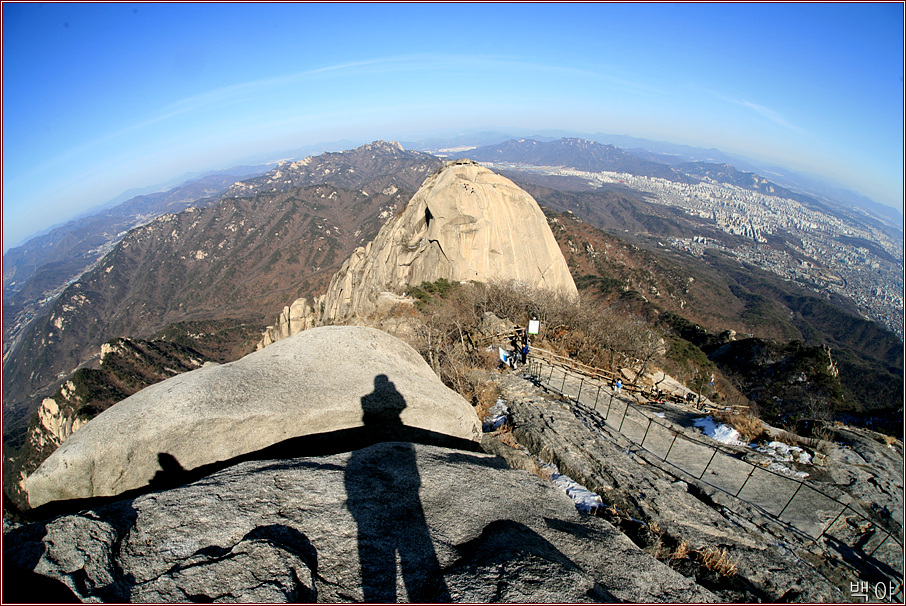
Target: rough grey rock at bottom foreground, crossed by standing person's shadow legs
393, 521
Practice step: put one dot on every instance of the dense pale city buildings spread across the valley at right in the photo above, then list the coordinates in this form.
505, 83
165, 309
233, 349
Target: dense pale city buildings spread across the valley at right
821, 251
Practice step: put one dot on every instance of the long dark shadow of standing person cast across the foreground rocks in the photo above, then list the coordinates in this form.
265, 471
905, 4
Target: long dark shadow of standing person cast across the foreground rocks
382, 489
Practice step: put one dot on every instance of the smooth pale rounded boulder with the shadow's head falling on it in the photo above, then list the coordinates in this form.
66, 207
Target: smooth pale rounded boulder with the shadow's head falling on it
325, 390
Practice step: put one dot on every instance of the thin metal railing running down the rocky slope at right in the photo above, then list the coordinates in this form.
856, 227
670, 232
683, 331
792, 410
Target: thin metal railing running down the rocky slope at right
769, 491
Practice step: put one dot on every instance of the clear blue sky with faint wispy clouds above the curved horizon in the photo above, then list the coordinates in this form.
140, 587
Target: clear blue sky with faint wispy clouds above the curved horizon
100, 99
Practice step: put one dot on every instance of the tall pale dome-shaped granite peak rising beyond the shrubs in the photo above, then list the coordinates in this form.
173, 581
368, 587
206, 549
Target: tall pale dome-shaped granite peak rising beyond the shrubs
464, 223
